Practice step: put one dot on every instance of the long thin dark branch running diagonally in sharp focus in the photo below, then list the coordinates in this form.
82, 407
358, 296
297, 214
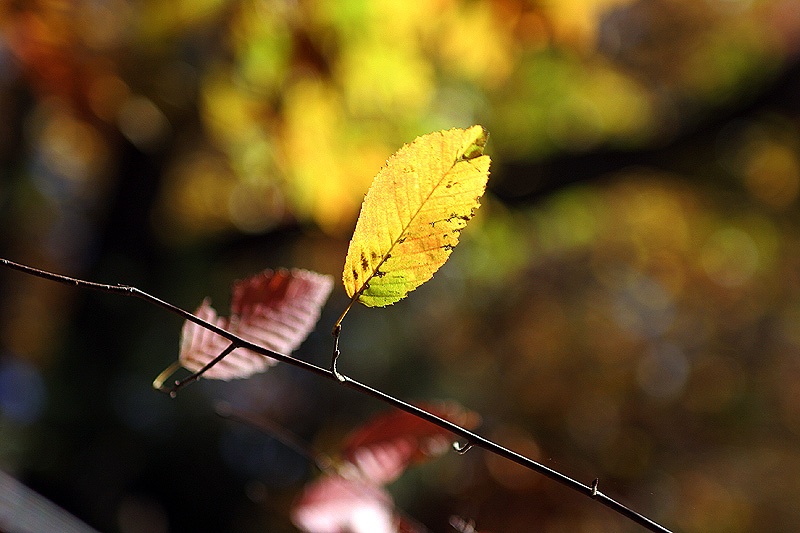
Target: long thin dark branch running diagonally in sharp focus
473, 439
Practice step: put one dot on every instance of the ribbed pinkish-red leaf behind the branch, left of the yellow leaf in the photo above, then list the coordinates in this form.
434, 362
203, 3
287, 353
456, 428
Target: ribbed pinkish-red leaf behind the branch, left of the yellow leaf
276, 310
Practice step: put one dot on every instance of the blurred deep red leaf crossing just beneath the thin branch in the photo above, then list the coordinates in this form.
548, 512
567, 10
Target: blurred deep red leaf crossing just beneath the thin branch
392, 442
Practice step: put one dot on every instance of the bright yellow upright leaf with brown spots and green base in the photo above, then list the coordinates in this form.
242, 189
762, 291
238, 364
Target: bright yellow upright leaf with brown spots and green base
413, 214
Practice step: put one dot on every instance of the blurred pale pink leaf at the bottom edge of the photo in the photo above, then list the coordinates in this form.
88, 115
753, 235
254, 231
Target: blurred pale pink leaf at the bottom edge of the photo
333, 504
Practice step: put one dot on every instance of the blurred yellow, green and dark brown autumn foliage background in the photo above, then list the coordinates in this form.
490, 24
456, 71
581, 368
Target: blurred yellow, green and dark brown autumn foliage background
626, 304
